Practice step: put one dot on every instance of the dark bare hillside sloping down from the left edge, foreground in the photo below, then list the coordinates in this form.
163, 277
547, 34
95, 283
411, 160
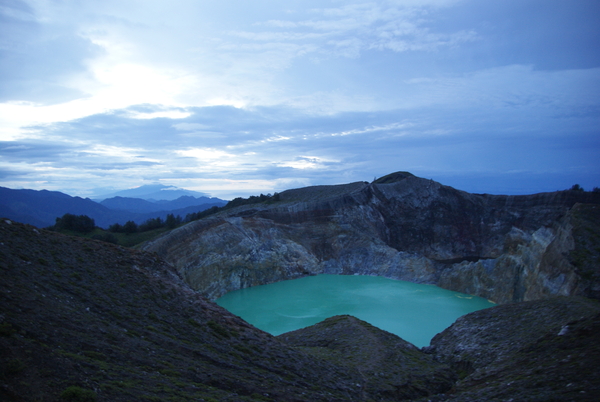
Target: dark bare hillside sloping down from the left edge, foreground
122, 325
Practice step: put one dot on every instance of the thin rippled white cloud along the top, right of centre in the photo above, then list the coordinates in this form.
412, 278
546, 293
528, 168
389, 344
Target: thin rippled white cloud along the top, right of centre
351, 29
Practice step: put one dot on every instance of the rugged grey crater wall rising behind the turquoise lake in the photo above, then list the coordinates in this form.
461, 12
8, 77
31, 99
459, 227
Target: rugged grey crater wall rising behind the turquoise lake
505, 248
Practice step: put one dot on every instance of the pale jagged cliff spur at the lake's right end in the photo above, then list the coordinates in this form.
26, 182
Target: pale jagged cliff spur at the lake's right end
536, 264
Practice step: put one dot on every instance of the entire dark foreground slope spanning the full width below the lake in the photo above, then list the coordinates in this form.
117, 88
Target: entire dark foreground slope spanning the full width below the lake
82, 320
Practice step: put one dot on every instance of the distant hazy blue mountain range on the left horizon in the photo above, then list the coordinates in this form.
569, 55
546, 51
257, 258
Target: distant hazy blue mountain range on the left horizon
41, 208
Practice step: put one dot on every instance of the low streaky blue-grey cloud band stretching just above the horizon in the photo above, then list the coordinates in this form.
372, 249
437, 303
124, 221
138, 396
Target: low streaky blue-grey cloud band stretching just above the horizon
282, 143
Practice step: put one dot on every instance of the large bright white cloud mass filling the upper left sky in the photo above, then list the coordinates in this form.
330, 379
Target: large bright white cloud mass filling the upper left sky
91, 58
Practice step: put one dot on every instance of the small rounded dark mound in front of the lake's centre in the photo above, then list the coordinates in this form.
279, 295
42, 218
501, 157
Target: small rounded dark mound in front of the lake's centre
389, 368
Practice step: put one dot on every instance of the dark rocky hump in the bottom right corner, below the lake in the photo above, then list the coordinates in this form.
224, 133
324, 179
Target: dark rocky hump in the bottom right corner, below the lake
543, 350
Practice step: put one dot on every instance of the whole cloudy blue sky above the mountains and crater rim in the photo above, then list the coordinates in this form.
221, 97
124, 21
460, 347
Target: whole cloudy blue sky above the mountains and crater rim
238, 98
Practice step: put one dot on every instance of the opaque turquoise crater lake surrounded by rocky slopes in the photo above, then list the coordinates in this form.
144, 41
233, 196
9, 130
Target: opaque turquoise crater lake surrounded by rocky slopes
412, 311
